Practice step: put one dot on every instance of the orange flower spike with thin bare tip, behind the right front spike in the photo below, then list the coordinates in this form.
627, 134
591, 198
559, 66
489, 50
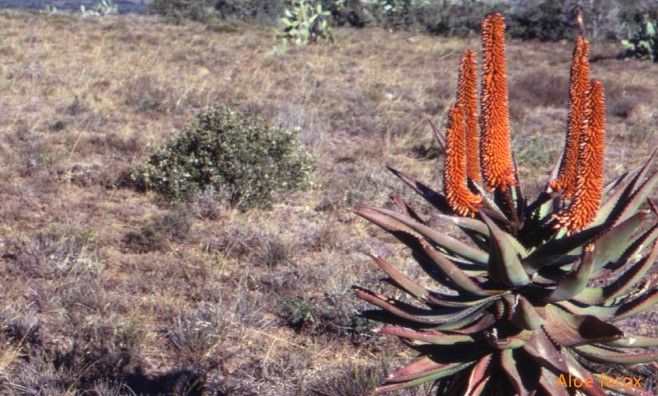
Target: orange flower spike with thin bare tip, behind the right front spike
578, 85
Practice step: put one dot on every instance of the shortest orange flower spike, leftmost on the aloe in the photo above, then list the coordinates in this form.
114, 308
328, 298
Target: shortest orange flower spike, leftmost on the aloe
459, 197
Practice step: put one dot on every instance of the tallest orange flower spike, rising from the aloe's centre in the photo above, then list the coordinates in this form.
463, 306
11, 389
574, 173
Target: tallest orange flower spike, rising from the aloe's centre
495, 146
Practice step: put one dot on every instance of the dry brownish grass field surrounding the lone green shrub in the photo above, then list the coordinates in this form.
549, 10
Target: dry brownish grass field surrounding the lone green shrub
109, 291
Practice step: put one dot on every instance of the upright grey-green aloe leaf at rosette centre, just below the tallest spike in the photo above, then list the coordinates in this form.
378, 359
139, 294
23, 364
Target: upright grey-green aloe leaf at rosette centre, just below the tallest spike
504, 261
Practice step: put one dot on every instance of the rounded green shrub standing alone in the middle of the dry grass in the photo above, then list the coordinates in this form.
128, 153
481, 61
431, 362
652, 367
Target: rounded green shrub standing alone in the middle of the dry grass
244, 158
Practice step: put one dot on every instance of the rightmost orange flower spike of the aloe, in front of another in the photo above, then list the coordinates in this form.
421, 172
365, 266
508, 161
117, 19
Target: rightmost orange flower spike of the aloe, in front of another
589, 176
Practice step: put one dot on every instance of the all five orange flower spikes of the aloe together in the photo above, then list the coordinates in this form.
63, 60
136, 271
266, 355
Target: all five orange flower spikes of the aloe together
580, 176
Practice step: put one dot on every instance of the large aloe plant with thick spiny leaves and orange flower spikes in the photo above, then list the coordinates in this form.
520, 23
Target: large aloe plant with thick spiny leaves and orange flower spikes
526, 316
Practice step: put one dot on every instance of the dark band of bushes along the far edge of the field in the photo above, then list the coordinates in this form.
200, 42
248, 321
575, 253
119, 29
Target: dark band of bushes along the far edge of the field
546, 20
